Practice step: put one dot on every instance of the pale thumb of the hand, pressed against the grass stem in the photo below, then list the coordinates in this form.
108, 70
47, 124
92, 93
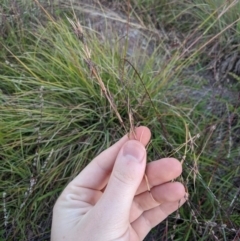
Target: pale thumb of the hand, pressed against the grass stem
126, 176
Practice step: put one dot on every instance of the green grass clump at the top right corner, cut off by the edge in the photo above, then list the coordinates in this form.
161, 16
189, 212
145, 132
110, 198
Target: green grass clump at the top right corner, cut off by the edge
187, 15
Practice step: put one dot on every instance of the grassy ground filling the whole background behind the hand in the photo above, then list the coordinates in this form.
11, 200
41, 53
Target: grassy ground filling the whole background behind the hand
171, 66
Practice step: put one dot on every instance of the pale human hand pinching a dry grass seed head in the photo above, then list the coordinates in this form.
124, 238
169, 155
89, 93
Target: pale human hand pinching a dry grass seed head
109, 199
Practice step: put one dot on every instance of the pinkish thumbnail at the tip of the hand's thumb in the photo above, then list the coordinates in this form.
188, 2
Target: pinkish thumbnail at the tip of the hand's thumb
134, 150
